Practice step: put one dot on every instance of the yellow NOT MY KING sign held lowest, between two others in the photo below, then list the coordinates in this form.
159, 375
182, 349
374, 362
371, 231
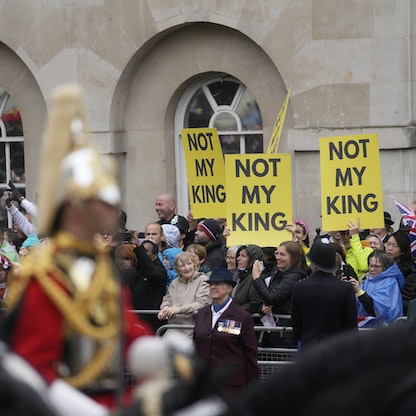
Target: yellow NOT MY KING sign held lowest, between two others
259, 198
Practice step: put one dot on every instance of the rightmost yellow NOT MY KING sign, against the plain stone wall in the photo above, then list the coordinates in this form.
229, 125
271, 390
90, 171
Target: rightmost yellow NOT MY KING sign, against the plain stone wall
351, 182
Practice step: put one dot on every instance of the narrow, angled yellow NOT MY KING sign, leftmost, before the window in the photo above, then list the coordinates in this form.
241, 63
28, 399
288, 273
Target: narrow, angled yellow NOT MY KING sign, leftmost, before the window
206, 172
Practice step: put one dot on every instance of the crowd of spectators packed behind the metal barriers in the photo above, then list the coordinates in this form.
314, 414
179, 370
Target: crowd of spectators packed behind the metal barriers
169, 286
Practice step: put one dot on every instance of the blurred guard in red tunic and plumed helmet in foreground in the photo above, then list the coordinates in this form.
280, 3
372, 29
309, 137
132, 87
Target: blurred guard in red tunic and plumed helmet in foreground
64, 314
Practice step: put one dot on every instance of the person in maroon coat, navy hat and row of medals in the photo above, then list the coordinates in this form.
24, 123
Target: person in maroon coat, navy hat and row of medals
224, 334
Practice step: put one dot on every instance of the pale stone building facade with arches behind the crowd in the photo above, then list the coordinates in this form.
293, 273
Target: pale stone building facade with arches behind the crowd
350, 64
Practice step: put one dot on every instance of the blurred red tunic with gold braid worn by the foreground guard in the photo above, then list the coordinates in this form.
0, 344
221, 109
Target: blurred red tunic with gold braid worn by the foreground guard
52, 310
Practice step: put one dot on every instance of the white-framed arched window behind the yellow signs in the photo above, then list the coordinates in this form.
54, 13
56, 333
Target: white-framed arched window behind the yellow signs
225, 103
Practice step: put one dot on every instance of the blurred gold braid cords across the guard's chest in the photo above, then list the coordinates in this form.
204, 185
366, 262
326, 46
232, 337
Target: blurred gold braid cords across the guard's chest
78, 307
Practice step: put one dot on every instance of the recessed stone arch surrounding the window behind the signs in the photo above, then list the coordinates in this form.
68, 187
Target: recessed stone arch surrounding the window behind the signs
149, 92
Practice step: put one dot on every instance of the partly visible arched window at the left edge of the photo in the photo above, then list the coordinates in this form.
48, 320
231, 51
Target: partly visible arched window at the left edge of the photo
12, 158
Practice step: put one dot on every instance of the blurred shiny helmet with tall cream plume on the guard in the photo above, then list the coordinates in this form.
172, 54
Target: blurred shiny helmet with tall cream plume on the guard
71, 170
